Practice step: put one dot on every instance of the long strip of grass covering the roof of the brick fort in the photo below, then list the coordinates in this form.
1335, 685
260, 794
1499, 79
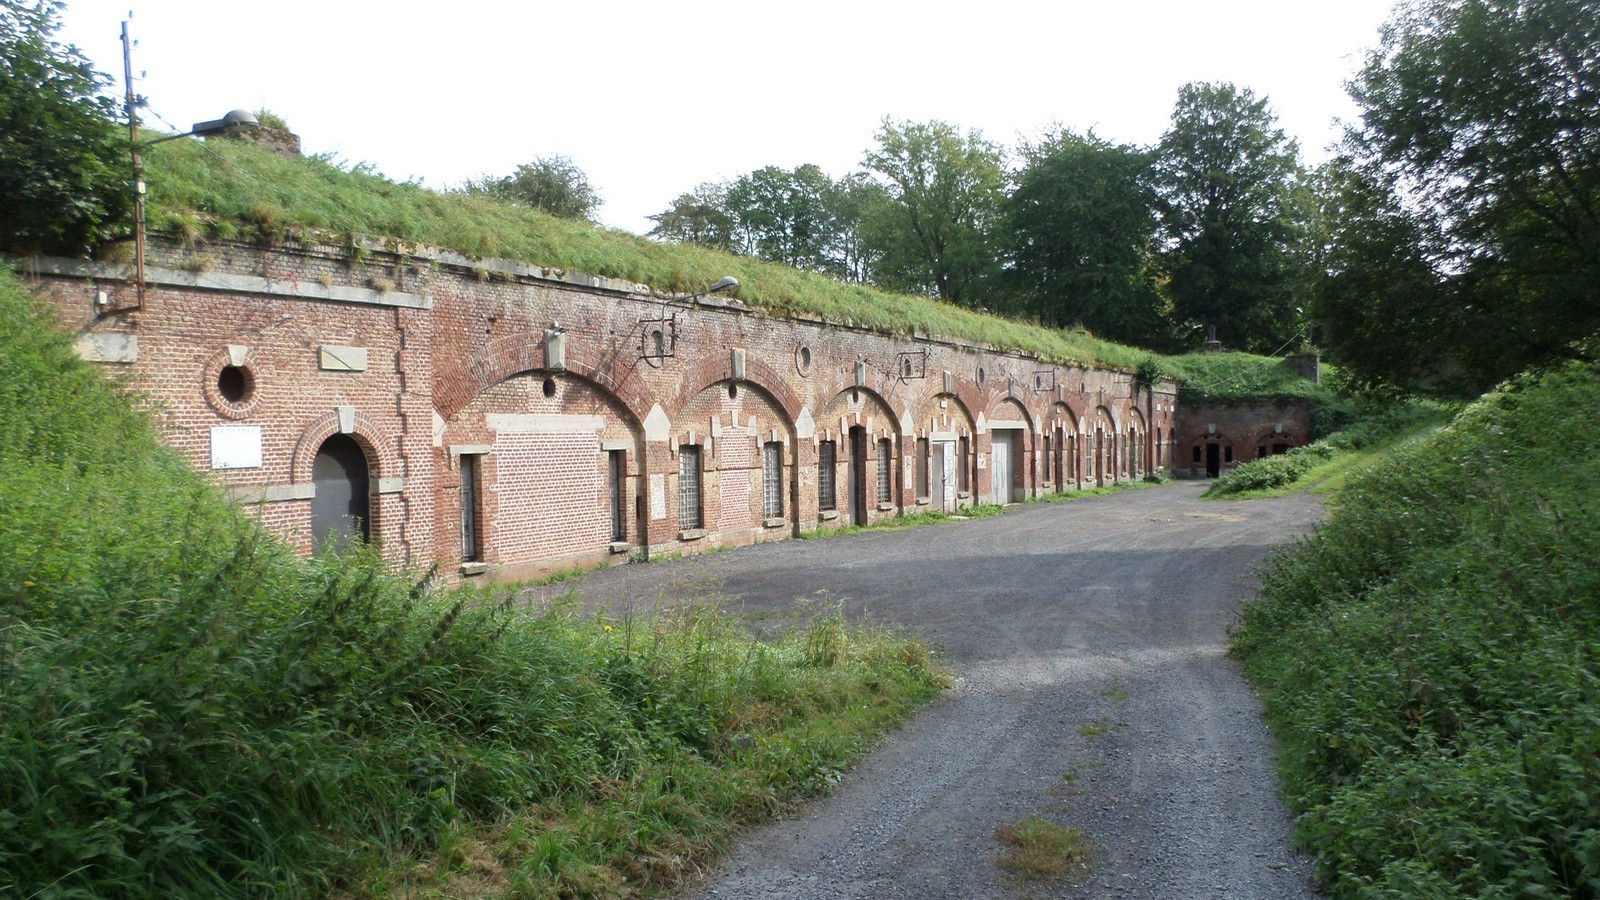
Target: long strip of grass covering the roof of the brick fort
231, 190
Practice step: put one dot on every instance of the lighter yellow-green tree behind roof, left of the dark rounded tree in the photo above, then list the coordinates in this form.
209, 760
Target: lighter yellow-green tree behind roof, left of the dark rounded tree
937, 228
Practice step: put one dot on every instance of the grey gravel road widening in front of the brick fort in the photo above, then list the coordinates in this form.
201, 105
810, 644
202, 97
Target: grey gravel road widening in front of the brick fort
1094, 688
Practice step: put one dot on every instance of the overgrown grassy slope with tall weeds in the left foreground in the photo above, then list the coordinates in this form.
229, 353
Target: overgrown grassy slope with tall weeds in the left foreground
188, 710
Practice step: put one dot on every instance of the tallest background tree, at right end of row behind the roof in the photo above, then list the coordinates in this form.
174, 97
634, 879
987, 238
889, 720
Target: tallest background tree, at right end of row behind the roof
1225, 175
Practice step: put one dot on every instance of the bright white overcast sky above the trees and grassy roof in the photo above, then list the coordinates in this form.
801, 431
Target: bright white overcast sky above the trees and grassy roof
652, 98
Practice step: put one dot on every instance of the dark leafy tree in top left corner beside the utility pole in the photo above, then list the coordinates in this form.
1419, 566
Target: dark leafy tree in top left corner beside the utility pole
65, 172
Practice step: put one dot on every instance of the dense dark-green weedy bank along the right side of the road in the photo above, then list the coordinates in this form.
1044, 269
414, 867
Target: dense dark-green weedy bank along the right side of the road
1430, 657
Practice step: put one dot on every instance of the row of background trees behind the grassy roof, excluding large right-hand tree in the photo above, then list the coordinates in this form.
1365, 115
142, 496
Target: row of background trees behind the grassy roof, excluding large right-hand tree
1146, 246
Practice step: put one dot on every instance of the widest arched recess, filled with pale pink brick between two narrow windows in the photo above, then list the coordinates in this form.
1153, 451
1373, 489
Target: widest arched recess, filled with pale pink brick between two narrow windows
543, 468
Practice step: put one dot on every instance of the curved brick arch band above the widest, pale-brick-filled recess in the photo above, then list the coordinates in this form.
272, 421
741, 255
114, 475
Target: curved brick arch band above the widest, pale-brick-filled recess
511, 356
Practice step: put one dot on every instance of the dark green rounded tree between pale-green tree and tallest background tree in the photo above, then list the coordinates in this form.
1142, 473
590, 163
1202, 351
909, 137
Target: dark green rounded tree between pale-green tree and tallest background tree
1082, 222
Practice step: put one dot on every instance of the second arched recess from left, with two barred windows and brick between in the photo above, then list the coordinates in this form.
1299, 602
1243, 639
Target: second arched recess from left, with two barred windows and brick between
742, 441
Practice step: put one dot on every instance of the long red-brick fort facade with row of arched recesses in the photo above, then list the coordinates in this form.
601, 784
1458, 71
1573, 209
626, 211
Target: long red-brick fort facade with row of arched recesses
516, 420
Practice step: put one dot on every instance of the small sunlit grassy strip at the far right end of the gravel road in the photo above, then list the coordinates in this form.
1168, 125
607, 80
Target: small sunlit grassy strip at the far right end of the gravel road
1326, 465
